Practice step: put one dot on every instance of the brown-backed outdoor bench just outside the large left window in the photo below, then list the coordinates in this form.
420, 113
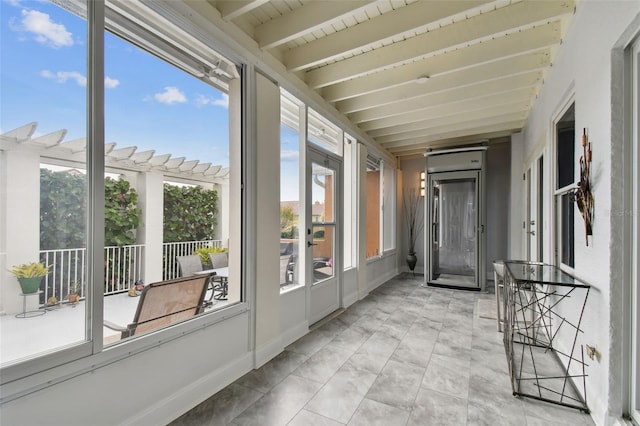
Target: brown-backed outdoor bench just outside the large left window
164, 303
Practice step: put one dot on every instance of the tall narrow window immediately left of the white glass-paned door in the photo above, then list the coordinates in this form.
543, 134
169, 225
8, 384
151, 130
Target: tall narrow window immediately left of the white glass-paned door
292, 112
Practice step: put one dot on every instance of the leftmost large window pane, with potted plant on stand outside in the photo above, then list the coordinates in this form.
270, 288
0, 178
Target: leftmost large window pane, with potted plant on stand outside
43, 195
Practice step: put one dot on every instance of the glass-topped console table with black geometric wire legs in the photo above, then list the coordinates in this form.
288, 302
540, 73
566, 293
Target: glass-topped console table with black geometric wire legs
543, 309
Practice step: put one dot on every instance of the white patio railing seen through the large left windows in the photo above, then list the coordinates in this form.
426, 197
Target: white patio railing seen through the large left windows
123, 266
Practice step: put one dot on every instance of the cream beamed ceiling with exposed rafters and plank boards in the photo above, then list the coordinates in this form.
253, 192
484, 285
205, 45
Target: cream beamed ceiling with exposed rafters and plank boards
484, 61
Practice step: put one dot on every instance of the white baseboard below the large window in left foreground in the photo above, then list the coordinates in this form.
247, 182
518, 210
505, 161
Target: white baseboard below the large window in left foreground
168, 409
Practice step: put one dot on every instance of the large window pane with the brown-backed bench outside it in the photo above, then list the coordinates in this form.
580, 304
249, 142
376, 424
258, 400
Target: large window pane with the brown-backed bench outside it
167, 188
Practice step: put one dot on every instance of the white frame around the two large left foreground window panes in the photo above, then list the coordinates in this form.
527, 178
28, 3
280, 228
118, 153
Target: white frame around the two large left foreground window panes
43, 371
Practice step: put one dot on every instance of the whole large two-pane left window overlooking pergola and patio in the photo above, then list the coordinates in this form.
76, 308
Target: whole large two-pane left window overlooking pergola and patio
167, 118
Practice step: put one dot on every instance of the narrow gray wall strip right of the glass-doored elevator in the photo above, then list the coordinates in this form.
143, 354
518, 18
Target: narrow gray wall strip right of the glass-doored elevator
497, 196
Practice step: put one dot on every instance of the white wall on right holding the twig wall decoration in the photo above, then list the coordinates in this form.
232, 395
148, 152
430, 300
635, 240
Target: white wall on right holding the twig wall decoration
583, 69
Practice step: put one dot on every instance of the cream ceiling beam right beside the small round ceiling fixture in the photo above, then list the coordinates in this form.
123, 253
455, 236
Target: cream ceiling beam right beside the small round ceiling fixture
510, 45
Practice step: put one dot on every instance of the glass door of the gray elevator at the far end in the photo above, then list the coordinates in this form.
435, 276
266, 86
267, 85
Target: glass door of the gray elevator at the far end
453, 217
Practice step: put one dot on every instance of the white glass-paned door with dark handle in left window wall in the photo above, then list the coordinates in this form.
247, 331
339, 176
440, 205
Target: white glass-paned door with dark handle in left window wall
323, 234
